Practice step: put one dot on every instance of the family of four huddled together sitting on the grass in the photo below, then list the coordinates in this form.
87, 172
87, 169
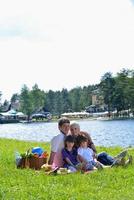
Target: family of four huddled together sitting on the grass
74, 150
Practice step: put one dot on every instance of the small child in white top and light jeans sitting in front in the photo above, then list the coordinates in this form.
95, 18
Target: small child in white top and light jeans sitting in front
86, 155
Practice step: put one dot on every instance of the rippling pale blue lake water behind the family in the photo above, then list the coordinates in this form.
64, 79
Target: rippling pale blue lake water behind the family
104, 133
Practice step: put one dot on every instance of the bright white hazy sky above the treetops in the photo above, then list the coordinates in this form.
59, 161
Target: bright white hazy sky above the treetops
63, 44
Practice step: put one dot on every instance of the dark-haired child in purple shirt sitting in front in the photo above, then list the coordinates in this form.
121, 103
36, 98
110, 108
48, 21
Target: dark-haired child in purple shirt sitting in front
69, 154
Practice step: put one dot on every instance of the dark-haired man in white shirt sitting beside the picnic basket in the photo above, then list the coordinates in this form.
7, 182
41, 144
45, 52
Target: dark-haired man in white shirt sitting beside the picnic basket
57, 143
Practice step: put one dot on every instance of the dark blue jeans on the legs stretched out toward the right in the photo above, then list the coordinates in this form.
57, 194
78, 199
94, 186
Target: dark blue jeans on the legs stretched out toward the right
105, 159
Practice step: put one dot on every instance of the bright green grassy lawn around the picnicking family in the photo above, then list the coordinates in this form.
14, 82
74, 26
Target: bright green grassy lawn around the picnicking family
27, 184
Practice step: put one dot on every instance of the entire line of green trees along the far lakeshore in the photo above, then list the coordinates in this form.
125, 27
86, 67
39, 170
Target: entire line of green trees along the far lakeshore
117, 92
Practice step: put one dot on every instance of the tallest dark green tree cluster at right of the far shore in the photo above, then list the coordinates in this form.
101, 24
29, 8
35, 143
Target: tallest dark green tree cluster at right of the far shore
118, 91
